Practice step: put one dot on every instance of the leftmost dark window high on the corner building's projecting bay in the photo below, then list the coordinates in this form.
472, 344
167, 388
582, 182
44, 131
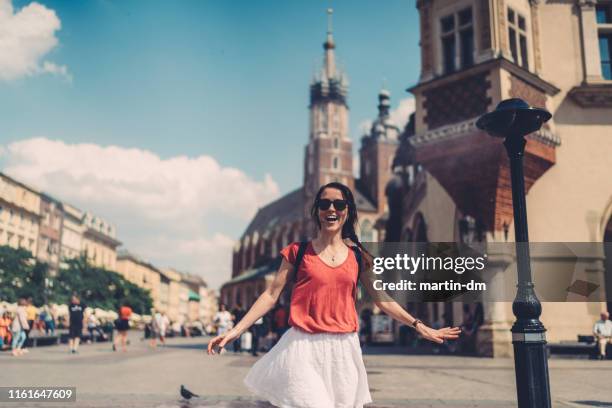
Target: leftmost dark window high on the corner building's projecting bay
457, 40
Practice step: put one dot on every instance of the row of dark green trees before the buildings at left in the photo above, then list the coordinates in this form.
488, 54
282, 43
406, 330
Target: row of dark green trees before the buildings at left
21, 275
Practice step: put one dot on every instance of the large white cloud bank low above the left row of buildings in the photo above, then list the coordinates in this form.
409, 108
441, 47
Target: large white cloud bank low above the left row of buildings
174, 210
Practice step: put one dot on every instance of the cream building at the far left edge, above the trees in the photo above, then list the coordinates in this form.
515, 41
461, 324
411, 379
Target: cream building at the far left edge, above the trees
19, 215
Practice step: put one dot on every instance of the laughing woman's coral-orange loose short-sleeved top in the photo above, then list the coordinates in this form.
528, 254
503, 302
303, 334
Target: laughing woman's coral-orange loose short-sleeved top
322, 299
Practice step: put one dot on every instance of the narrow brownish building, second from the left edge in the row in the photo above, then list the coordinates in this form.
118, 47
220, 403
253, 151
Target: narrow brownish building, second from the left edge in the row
50, 232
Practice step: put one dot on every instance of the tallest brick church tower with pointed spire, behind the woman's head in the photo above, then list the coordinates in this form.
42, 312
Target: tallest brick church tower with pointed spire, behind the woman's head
328, 154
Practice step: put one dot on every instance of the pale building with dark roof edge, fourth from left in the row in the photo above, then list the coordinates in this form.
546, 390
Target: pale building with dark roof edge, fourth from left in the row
99, 242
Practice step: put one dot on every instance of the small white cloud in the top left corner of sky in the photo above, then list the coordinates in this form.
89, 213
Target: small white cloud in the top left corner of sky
26, 37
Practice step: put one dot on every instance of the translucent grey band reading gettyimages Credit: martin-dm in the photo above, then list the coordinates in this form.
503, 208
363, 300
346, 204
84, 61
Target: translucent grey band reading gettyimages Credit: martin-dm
449, 271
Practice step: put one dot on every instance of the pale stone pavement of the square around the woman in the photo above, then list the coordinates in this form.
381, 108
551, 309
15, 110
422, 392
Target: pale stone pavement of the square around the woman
145, 377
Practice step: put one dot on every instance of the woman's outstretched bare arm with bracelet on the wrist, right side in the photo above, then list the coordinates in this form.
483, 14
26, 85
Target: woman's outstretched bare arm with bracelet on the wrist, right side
391, 308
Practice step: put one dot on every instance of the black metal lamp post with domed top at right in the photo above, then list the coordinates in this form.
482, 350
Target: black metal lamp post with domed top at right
512, 120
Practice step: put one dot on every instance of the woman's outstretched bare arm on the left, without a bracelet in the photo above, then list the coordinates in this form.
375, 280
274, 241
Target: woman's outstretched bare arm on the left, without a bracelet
264, 303
